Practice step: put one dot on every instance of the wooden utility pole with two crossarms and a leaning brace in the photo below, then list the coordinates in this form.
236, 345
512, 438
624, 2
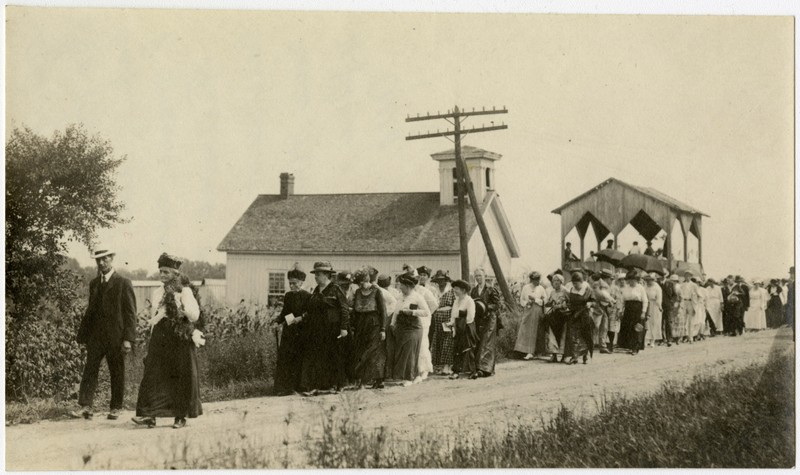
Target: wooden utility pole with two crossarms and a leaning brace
463, 182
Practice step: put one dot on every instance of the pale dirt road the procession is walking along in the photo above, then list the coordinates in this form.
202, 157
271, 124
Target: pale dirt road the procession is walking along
520, 389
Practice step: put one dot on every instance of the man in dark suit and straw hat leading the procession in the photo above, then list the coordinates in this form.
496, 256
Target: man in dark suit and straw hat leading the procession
108, 329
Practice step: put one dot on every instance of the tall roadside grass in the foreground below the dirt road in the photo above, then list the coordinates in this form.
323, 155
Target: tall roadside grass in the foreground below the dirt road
740, 419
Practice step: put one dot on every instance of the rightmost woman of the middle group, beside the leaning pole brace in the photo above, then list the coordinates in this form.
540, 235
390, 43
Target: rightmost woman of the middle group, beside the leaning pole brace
487, 326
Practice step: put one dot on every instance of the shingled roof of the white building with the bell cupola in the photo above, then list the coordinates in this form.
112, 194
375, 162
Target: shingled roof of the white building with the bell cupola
359, 223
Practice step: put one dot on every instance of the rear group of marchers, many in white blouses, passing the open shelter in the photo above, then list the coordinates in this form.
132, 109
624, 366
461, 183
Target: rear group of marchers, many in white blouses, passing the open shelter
605, 311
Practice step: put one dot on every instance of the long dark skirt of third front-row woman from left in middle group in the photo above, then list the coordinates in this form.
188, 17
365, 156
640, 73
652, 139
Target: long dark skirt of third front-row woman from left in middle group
370, 351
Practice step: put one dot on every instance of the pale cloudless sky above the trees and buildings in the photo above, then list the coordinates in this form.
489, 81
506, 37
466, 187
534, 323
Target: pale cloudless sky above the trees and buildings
211, 106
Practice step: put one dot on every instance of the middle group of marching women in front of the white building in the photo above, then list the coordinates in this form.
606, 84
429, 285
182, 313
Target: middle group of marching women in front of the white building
359, 330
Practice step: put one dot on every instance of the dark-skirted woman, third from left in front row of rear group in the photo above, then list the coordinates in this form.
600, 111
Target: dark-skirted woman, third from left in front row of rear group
580, 326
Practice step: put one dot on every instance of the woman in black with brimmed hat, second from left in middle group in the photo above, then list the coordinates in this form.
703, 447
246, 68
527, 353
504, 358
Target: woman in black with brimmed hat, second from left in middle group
326, 322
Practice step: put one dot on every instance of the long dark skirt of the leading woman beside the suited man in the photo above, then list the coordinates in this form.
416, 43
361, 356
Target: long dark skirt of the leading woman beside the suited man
170, 386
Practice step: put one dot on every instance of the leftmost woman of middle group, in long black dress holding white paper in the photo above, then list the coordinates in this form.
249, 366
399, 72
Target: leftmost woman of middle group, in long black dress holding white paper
290, 351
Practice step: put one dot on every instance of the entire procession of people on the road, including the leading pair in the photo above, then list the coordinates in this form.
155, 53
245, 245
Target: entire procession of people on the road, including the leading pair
358, 330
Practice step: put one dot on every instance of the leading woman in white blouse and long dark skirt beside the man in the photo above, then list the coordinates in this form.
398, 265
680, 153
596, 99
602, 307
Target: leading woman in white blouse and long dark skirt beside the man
170, 386
